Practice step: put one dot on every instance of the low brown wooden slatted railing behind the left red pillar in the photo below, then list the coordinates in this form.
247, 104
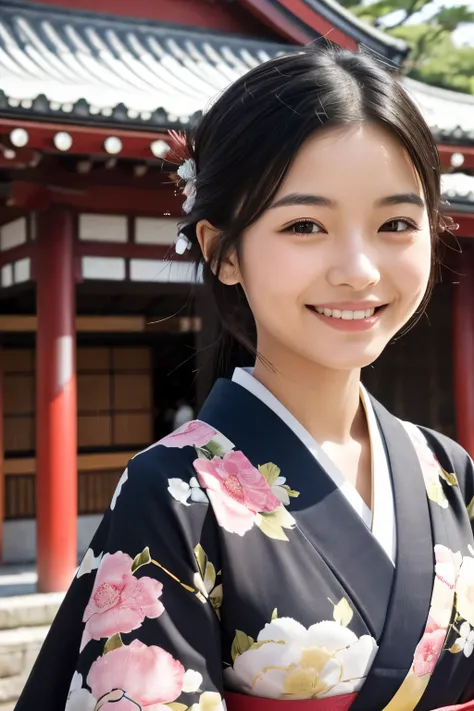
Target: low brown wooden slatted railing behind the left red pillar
98, 475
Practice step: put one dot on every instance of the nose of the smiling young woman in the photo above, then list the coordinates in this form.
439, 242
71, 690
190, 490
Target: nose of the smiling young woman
355, 268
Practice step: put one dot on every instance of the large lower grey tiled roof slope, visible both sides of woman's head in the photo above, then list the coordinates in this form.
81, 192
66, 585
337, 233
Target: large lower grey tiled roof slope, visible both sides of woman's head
77, 66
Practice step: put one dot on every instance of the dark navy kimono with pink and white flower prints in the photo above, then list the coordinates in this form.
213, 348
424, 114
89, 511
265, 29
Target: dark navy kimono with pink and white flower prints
236, 566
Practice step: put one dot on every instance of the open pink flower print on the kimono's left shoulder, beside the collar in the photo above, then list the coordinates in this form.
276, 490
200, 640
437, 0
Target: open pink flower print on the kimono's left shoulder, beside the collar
237, 491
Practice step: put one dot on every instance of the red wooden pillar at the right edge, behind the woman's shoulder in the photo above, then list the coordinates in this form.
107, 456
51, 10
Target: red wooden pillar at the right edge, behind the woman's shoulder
463, 350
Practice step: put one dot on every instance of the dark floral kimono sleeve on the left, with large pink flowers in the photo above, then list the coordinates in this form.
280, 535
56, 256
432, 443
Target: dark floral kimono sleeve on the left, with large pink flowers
139, 627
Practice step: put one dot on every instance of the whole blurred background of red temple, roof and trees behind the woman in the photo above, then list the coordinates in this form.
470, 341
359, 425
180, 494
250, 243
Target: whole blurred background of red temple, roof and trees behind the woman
108, 339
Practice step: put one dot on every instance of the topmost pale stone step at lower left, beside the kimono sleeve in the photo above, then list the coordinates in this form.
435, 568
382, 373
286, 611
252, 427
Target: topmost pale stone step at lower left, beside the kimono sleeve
29, 610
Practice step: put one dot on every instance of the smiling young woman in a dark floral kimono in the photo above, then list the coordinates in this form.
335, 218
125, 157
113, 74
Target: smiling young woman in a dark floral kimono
297, 546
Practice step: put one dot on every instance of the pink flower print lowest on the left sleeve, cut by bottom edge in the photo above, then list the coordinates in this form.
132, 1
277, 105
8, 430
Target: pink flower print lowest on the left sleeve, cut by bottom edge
139, 677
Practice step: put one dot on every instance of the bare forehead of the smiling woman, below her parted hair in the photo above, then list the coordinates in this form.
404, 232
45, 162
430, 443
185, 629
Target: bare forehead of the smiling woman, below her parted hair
362, 159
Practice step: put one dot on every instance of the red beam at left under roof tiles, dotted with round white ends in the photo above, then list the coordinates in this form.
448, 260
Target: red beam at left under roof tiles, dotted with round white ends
87, 140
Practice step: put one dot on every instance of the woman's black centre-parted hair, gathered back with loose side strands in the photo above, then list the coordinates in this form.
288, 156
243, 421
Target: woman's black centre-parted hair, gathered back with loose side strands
246, 142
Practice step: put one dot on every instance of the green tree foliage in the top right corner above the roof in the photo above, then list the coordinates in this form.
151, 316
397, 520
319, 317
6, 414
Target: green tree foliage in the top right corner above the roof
434, 58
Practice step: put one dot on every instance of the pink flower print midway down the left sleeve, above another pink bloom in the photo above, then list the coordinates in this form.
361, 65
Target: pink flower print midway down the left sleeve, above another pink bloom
119, 601
